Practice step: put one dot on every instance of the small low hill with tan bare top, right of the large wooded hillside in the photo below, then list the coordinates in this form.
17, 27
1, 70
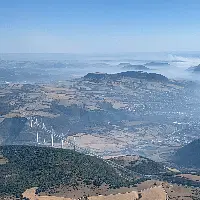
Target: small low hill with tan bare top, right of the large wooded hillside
140, 164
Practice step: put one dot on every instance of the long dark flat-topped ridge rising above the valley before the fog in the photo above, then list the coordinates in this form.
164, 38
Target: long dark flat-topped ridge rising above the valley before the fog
128, 74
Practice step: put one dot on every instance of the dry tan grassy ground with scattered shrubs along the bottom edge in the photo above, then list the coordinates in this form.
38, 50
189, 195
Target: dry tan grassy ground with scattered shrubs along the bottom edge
151, 190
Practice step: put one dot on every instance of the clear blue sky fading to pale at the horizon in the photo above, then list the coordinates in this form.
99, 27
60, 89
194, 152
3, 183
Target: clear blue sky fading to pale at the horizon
99, 26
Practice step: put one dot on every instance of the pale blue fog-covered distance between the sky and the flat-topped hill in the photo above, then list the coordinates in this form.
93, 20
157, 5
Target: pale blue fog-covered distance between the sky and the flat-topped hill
41, 68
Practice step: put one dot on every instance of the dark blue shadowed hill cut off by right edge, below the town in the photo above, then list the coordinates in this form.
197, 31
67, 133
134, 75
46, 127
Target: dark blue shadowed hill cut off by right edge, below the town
189, 155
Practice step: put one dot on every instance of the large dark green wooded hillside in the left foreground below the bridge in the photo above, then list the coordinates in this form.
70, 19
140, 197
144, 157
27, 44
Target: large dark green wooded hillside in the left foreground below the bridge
46, 167
